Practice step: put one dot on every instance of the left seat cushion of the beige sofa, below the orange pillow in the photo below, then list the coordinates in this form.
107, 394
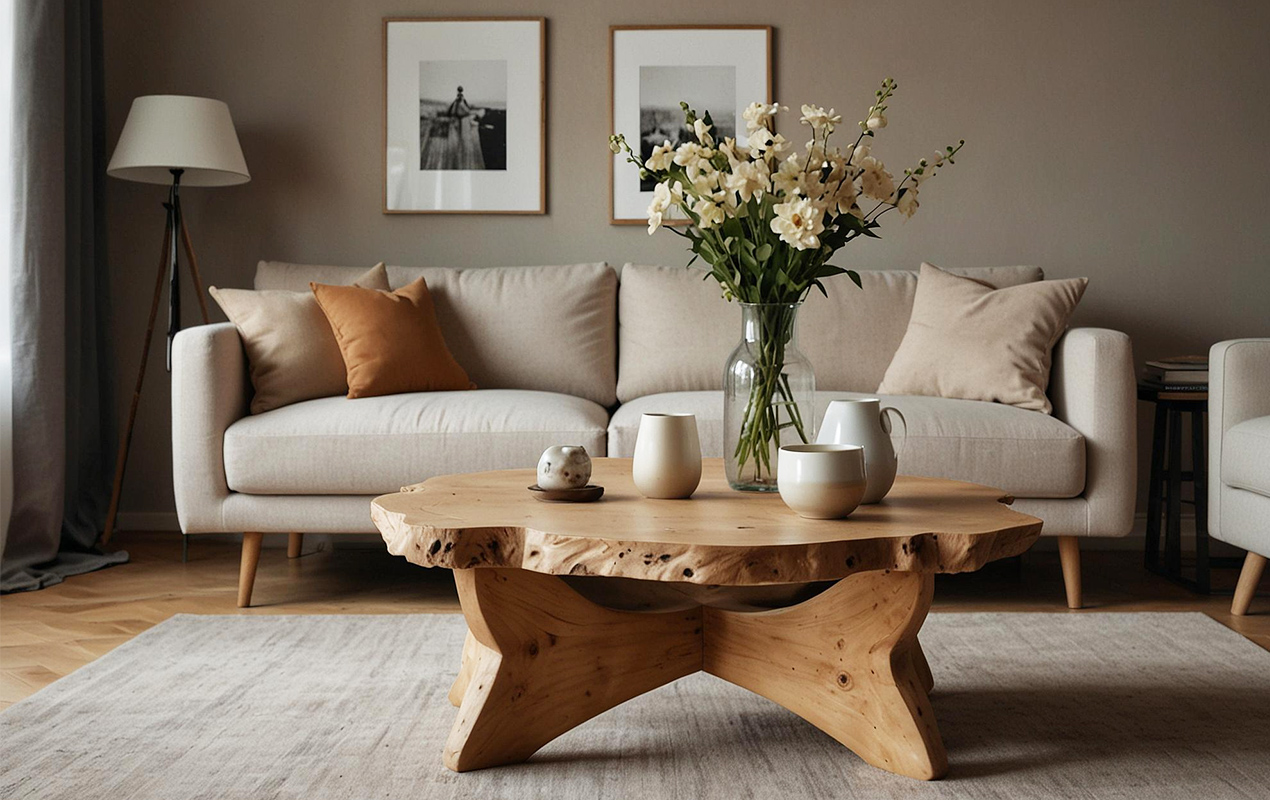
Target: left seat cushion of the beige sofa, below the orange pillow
379, 445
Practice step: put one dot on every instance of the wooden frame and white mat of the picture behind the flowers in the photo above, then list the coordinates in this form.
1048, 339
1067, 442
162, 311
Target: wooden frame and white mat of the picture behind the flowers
622, 200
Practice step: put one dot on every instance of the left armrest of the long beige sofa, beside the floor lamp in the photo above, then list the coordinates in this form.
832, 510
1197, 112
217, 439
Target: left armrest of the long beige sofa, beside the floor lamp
210, 390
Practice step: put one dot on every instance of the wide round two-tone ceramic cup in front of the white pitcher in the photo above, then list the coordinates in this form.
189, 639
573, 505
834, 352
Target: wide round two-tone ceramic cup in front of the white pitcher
822, 482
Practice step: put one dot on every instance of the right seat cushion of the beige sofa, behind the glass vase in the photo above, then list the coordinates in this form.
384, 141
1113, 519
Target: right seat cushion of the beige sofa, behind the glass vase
1022, 453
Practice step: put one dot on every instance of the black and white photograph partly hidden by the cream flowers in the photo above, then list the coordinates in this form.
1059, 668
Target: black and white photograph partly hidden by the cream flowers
661, 117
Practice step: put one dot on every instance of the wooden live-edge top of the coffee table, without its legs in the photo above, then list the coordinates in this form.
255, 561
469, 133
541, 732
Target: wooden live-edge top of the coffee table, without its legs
719, 537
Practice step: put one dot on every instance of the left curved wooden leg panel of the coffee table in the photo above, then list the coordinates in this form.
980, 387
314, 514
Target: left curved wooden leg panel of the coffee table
544, 660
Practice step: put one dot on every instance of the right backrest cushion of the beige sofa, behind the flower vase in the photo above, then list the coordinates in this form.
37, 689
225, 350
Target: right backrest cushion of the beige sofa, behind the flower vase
676, 332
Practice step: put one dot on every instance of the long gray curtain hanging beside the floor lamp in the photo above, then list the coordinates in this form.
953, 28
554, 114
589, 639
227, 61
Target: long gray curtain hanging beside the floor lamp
63, 412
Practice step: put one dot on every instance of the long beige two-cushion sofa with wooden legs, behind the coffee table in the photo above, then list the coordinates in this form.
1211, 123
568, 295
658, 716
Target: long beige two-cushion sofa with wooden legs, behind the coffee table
572, 355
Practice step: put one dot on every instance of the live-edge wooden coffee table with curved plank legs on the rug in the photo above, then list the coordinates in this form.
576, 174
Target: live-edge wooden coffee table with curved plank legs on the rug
575, 609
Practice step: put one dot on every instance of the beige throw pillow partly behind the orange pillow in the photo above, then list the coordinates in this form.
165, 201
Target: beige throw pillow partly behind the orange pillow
291, 351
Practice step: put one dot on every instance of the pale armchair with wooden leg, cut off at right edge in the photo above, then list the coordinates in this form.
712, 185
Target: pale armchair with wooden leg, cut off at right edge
1239, 490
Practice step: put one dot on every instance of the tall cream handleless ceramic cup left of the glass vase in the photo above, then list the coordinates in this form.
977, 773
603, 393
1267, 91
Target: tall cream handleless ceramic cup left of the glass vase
667, 457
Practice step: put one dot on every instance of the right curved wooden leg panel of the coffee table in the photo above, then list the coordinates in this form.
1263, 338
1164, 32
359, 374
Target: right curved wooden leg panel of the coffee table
848, 662
